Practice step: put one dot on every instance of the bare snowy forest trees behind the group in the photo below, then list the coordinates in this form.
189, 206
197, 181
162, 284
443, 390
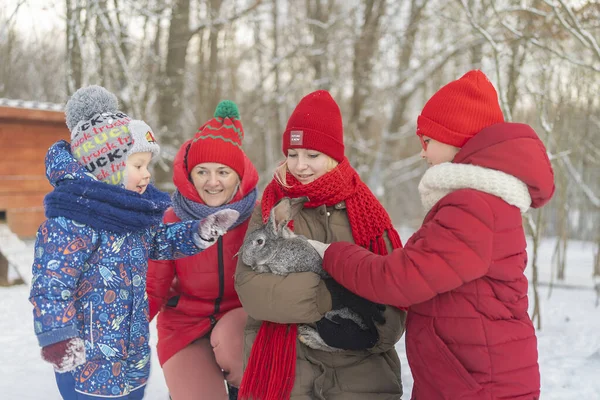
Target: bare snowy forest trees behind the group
171, 61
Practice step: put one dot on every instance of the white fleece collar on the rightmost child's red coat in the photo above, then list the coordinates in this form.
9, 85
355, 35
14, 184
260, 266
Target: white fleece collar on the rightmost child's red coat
445, 178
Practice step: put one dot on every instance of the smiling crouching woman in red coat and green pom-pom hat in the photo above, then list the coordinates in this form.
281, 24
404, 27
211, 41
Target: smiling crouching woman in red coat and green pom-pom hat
200, 319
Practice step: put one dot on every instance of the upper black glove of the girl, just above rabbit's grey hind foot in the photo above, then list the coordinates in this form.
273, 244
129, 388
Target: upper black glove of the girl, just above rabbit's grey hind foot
342, 298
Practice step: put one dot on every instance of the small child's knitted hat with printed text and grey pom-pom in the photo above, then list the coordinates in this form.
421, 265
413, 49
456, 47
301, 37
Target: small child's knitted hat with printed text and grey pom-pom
102, 137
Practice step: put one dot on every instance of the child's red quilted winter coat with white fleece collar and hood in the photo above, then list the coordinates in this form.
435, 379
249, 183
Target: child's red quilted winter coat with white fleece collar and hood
468, 334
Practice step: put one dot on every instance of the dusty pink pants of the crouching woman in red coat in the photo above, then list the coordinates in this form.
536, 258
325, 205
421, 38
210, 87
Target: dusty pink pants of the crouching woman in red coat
198, 371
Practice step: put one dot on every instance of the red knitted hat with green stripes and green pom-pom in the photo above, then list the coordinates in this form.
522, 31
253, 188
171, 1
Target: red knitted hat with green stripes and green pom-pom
219, 140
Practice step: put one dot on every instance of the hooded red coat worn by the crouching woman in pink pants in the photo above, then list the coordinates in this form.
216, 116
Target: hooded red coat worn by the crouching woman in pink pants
203, 283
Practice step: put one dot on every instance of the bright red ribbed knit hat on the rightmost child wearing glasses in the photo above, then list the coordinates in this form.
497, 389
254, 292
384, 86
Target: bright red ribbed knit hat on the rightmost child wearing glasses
459, 110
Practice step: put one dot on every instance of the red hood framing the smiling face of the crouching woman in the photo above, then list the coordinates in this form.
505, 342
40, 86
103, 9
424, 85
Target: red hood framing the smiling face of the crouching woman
185, 186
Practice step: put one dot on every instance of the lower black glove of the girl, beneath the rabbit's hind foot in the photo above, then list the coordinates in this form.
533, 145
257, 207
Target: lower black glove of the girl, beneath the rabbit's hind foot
345, 334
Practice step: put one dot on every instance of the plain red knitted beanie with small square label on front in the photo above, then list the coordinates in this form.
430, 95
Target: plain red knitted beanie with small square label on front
316, 124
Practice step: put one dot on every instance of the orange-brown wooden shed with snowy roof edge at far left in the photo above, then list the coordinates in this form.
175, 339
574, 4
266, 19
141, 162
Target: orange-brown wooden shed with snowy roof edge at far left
27, 129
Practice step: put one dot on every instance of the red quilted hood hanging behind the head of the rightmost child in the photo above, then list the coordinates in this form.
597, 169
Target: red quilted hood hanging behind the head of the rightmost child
517, 150
